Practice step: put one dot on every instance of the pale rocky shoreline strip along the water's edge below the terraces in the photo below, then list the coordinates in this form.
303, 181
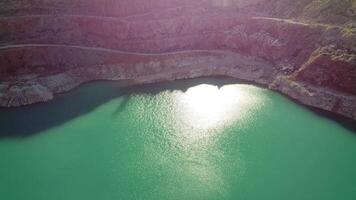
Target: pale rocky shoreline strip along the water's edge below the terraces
43, 89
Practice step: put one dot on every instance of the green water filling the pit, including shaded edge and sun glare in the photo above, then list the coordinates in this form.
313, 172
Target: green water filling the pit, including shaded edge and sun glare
181, 140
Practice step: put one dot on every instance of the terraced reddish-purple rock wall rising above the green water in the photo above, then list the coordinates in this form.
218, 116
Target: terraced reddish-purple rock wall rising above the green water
304, 49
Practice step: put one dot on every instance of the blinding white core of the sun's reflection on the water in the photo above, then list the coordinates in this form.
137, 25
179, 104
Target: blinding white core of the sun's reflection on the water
208, 106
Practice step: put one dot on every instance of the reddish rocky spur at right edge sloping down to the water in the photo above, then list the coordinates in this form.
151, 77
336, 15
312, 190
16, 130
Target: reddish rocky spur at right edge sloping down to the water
326, 80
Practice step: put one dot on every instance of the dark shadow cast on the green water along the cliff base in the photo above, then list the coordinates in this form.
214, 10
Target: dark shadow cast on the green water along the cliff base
29, 120
